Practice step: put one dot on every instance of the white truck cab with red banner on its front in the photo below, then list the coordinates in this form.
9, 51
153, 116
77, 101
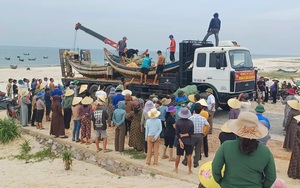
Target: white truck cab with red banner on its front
227, 69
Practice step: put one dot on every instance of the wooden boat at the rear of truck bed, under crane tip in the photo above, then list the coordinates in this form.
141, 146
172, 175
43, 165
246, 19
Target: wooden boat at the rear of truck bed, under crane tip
88, 69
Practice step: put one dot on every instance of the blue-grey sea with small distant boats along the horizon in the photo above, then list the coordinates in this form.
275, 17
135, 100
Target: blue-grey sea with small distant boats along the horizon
49, 56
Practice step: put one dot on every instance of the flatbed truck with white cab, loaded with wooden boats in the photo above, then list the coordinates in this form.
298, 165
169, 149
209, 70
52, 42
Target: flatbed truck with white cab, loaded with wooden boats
227, 69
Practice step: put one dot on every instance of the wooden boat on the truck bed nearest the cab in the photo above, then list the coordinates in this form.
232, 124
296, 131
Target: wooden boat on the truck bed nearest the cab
113, 60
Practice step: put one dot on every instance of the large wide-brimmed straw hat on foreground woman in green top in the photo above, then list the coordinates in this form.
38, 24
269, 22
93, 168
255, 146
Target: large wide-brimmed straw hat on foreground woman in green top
247, 126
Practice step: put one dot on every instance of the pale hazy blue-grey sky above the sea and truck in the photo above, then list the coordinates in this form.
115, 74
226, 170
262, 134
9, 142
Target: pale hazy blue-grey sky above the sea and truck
263, 26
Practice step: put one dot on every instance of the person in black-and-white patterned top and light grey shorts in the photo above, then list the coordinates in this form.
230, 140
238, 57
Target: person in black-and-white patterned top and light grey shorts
99, 118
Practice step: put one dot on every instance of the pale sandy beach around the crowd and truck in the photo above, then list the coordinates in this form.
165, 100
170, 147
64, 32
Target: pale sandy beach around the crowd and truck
48, 174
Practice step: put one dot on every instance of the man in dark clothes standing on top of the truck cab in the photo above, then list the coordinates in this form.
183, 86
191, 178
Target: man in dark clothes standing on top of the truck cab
214, 28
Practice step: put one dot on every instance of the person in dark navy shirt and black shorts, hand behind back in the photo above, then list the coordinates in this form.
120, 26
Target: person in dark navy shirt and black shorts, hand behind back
184, 130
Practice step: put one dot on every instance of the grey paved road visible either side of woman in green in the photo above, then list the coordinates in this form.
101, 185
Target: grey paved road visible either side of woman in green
275, 120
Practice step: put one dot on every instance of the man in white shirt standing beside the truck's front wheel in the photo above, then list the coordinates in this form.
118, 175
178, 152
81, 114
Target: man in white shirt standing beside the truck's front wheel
211, 103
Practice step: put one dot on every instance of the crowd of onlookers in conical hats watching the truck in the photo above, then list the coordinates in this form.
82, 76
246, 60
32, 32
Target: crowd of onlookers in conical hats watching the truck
184, 123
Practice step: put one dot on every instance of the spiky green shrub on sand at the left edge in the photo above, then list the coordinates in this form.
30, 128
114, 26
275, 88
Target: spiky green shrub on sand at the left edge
9, 130
